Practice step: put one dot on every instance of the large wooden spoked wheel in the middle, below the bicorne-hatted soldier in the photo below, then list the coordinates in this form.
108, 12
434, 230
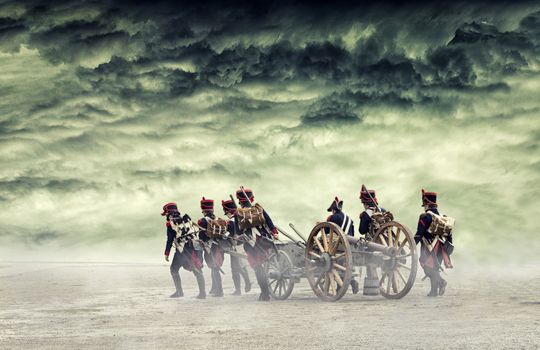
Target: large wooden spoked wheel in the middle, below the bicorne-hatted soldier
328, 261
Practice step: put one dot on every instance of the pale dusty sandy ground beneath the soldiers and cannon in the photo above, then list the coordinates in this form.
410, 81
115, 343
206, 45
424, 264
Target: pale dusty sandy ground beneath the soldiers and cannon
122, 306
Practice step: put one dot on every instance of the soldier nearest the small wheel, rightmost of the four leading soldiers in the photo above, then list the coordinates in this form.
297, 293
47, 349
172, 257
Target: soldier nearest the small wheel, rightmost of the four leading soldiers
258, 252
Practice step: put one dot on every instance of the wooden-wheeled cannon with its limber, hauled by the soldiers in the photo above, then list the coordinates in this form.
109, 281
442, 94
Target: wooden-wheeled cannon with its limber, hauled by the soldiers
328, 257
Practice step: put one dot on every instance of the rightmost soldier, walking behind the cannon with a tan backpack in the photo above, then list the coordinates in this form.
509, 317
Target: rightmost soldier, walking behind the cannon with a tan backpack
434, 249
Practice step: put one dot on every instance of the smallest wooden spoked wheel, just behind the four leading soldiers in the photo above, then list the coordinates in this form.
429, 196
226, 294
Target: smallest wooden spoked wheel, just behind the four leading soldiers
279, 270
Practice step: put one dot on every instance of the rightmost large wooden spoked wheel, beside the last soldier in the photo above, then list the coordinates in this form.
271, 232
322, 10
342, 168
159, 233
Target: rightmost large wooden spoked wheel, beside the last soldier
399, 272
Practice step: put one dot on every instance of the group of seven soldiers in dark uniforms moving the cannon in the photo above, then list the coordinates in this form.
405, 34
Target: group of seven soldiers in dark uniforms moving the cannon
434, 251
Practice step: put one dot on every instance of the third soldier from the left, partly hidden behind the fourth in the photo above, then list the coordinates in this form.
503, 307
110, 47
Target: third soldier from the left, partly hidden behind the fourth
237, 270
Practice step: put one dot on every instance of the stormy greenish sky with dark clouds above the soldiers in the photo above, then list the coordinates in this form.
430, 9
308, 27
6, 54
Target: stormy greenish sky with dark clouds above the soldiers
108, 110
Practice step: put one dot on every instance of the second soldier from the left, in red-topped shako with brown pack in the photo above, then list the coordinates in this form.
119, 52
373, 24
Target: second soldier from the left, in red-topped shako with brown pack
213, 255
